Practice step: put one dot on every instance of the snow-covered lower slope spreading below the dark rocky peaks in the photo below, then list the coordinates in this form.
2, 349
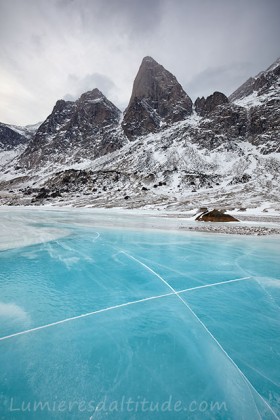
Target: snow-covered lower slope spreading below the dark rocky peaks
170, 169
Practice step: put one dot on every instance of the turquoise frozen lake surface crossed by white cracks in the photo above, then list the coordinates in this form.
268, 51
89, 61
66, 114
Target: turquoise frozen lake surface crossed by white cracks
101, 318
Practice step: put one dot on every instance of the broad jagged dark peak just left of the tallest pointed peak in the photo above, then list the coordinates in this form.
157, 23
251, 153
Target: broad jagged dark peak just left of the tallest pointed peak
84, 128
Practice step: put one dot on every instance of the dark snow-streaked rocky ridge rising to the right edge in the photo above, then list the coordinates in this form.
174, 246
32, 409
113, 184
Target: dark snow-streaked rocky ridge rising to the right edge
252, 115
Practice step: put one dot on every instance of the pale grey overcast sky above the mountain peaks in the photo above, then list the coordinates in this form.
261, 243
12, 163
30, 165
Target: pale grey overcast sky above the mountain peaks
52, 49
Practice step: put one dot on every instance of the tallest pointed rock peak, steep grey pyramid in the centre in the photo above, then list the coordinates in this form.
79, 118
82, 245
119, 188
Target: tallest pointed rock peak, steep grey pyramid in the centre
157, 99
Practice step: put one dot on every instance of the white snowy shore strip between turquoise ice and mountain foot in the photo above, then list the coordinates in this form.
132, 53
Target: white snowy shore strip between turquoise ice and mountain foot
24, 226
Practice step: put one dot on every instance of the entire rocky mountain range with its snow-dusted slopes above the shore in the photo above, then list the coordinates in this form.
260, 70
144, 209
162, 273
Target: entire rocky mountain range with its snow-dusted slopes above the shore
164, 150
